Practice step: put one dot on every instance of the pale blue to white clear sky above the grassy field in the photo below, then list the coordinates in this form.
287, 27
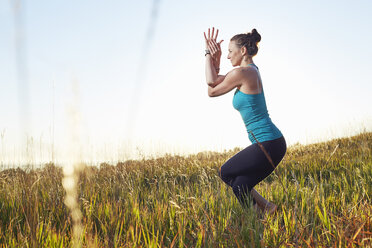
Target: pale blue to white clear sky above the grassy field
314, 60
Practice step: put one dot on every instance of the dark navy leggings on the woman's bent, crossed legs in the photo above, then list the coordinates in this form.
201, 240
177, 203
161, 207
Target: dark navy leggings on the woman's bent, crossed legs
250, 166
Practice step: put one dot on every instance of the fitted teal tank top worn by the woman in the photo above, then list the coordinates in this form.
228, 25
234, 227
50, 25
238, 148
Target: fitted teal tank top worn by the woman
252, 108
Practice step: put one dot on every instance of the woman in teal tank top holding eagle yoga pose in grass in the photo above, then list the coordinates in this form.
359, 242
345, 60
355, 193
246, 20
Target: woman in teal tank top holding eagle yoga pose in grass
254, 163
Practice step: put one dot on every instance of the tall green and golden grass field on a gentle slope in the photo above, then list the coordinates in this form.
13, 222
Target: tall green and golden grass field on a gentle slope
177, 201
